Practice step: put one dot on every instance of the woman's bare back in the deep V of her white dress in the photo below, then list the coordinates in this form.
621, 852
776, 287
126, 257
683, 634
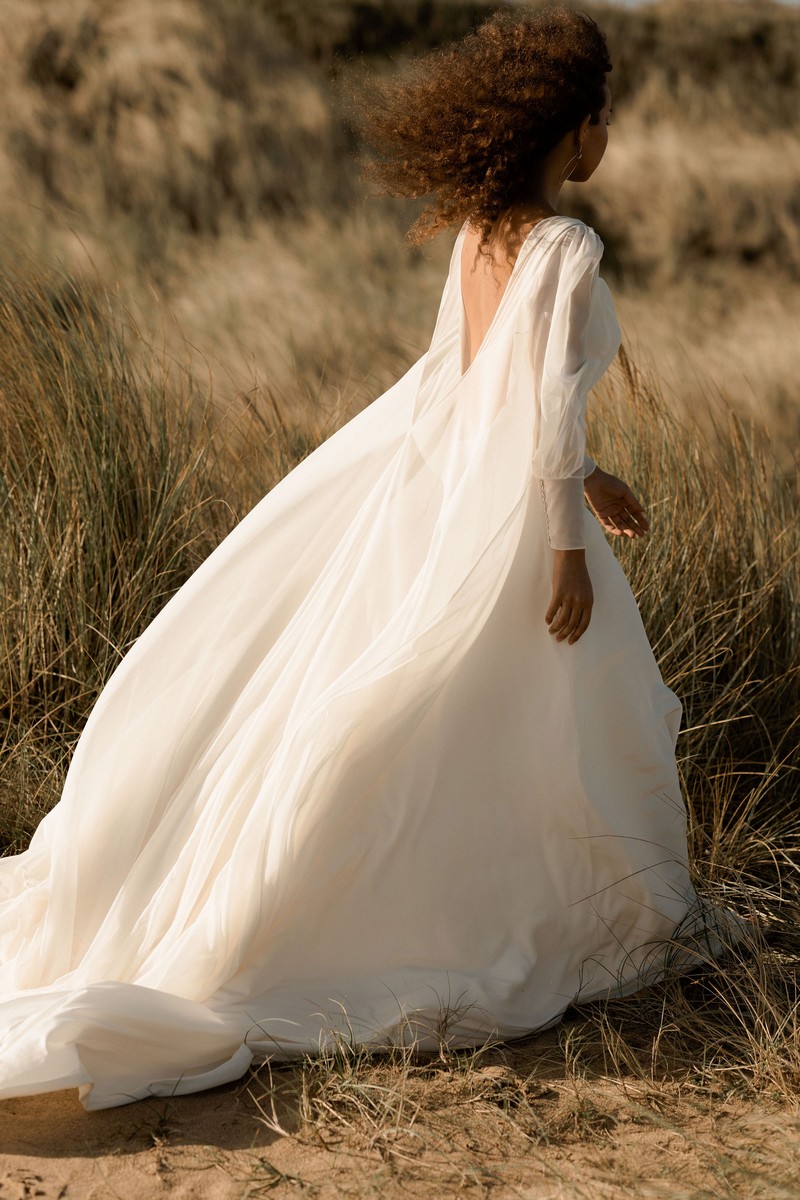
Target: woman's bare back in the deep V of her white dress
484, 283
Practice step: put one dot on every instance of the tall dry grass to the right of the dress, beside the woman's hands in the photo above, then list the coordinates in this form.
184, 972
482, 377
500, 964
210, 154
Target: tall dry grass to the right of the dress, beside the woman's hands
718, 583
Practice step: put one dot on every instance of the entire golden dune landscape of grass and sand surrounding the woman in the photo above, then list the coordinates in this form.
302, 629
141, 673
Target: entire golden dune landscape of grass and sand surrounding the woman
195, 291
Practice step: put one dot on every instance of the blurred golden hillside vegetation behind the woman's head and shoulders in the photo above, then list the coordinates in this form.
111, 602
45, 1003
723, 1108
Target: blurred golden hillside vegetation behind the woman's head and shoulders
195, 157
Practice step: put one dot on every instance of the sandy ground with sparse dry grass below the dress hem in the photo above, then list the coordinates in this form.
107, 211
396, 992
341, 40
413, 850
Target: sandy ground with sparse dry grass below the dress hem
496, 1135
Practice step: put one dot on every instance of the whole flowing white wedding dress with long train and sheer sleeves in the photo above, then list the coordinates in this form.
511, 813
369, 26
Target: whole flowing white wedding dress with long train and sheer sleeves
347, 782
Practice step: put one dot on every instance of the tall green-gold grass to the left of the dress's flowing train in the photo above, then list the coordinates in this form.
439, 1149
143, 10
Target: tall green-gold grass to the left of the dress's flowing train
118, 477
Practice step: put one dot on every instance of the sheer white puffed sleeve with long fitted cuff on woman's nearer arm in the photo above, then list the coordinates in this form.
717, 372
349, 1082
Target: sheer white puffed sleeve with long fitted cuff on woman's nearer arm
561, 461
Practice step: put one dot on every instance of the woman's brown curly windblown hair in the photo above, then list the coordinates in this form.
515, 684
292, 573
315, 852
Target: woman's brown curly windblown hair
466, 122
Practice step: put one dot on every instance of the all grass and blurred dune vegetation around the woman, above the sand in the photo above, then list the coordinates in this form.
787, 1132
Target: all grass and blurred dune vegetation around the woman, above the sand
195, 291
